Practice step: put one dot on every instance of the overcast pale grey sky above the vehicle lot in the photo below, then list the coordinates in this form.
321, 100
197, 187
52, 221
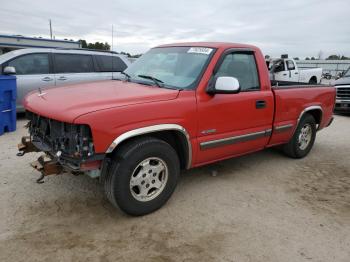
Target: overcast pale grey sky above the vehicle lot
299, 28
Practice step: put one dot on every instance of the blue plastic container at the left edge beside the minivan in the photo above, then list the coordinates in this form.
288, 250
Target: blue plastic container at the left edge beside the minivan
8, 95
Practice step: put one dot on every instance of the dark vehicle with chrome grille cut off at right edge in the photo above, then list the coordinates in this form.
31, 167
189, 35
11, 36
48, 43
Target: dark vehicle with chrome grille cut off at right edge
342, 86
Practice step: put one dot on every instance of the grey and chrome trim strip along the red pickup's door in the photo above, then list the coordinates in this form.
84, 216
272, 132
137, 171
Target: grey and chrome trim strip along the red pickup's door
234, 139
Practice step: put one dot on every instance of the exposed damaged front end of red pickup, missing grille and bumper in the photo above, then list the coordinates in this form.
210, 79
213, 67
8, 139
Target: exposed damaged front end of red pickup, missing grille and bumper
67, 147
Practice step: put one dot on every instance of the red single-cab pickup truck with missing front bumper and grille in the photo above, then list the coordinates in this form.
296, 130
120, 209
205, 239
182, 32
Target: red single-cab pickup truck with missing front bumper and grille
178, 106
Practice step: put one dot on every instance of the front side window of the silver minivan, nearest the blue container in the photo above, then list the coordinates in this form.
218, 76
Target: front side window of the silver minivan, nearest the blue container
31, 64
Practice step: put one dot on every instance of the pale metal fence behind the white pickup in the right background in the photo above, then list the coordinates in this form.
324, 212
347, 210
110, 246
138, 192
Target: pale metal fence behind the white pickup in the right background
329, 66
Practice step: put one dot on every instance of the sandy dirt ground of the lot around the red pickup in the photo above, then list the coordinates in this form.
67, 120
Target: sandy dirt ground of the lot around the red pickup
261, 207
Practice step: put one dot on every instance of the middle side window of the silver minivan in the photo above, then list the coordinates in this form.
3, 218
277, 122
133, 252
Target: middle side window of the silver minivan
72, 63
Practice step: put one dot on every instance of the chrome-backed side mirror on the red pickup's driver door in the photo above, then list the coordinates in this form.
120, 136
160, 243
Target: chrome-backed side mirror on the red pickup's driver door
225, 85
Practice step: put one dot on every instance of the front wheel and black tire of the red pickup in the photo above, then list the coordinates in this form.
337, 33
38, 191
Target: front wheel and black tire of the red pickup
143, 176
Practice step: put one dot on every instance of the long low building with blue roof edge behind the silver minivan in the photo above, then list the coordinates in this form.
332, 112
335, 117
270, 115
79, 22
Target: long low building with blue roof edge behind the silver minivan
12, 42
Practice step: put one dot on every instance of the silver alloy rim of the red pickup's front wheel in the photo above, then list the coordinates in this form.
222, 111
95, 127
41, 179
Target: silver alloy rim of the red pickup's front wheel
148, 179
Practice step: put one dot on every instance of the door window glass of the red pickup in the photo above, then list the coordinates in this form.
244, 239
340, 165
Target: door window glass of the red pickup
243, 67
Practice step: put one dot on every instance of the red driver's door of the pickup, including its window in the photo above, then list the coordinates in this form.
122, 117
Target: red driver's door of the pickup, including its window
234, 124
